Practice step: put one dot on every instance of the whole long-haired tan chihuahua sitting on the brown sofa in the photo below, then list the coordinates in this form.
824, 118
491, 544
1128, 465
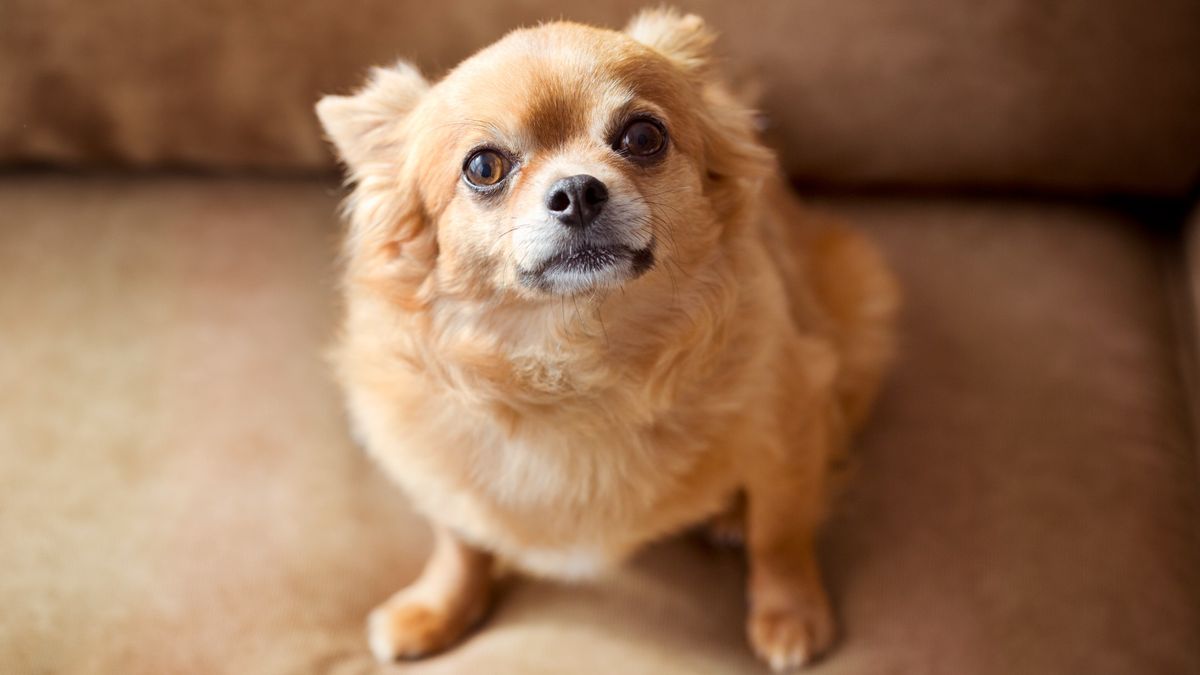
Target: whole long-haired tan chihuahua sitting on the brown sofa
584, 313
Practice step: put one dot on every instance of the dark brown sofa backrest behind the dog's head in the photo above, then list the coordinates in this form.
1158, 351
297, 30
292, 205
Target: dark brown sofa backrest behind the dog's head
1067, 95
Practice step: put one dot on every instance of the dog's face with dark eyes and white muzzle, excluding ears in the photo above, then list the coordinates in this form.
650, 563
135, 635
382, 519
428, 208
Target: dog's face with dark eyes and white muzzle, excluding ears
561, 154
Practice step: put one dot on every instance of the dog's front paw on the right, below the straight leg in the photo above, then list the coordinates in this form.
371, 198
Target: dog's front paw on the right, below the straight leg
791, 638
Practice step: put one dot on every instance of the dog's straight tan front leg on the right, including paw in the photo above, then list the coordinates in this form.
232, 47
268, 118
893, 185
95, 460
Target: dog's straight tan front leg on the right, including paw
790, 622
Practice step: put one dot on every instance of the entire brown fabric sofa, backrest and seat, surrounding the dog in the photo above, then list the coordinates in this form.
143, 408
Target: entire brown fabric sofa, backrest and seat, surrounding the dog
178, 493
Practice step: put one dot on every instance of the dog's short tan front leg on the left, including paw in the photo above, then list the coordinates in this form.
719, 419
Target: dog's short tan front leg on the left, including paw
448, 599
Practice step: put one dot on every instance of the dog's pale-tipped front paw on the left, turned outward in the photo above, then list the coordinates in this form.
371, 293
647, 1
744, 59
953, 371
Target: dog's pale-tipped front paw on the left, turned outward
412, 630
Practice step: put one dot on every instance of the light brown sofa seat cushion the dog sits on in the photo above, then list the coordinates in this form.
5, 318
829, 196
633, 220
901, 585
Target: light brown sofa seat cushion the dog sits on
181, 494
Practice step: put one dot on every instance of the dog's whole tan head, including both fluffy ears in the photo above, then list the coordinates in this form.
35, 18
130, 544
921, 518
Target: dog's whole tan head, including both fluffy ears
560, 162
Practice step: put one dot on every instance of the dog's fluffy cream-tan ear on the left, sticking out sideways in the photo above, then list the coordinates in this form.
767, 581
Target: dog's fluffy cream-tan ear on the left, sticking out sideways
364, 127
